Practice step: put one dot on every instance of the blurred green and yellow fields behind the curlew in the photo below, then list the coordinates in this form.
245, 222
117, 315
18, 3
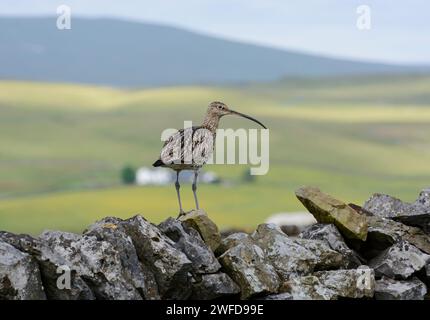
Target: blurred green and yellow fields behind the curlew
62, 147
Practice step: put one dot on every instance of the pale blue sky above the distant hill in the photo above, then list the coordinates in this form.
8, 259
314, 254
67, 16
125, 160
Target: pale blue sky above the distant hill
400, 31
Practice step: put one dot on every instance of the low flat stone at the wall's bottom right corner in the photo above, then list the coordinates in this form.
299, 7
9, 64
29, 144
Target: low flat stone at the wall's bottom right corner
389, 289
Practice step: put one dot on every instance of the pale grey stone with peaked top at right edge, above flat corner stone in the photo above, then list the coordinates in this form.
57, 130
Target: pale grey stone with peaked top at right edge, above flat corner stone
400, 260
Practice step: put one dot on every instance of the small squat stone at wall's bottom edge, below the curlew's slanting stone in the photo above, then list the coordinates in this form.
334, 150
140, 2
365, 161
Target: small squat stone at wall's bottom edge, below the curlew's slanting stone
213, 286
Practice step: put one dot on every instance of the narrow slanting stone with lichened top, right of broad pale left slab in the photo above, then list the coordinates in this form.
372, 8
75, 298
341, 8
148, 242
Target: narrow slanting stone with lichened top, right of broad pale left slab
138, 274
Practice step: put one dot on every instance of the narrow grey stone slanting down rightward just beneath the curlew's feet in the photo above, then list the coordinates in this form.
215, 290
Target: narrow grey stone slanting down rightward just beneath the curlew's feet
189, 241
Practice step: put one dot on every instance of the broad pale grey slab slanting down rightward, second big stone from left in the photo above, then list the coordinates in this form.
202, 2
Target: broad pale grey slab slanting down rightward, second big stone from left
95, 261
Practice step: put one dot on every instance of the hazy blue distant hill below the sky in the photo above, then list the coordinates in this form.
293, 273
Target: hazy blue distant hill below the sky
120, 53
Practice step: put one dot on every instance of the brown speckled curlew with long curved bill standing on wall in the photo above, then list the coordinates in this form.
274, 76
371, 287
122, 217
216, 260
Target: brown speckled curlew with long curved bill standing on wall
201, 141
